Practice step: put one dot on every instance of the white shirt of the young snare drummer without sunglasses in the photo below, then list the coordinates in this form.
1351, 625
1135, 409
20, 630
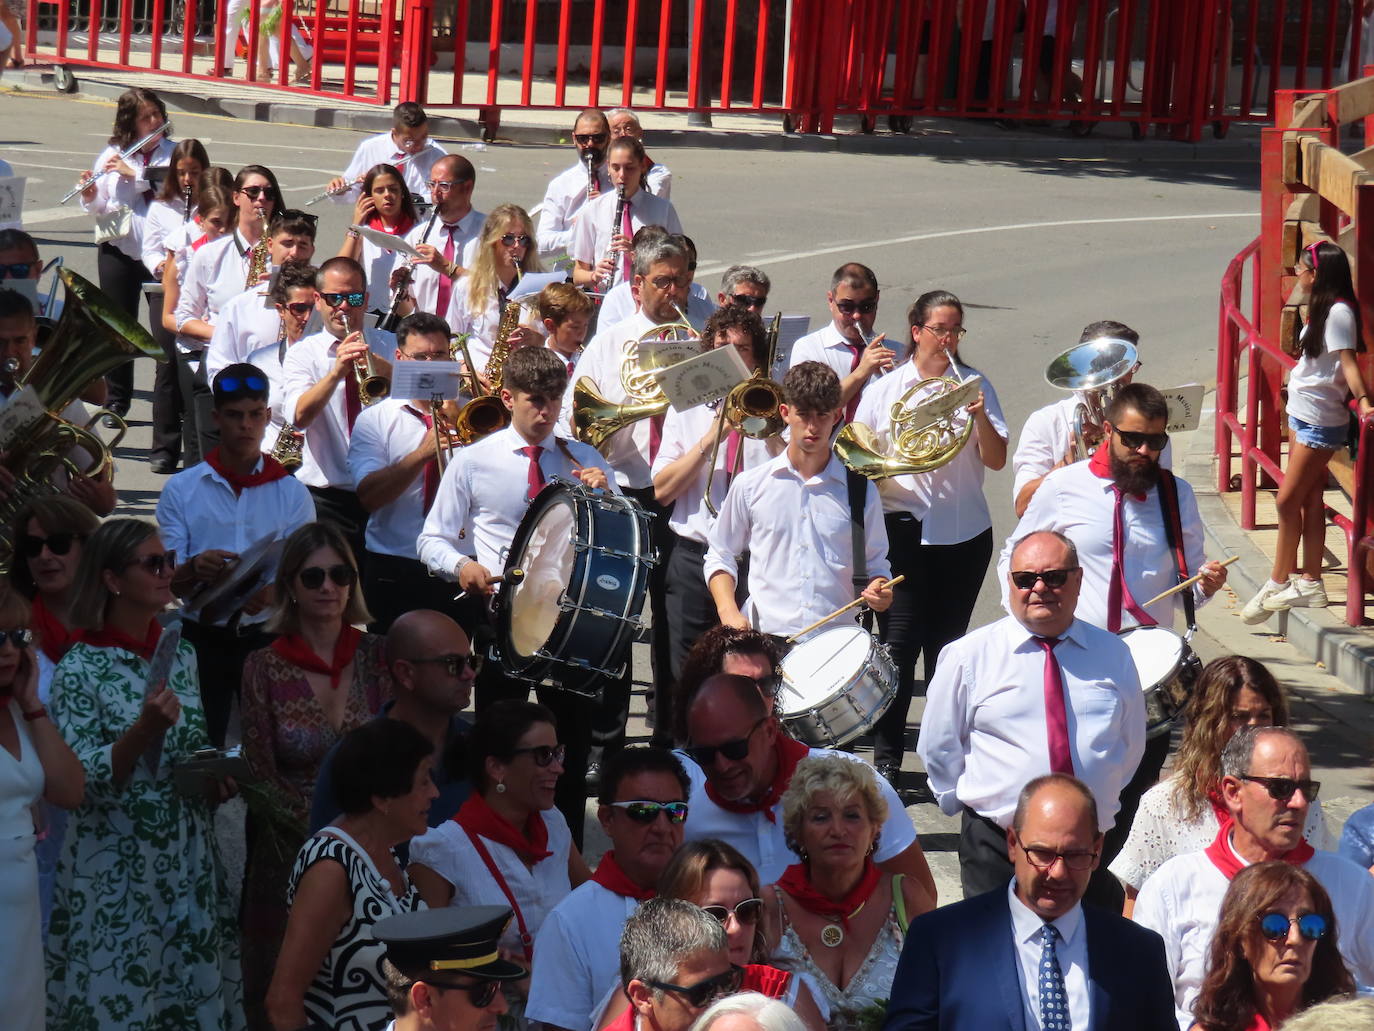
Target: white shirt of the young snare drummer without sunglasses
802, 549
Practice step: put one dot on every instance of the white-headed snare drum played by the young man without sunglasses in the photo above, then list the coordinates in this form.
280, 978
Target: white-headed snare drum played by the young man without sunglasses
836, 687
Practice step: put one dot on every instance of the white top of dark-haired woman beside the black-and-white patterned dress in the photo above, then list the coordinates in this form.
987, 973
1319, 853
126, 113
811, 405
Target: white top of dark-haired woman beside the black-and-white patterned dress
449, 852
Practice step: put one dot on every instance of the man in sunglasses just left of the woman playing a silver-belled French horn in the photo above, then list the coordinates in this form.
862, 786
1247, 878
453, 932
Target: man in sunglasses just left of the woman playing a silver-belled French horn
848, 344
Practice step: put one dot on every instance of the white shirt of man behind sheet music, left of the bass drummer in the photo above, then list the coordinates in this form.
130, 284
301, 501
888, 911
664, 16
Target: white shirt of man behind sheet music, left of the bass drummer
384, 435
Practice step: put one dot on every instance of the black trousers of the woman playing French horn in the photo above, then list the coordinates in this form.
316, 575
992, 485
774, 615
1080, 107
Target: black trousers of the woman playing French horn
930, 610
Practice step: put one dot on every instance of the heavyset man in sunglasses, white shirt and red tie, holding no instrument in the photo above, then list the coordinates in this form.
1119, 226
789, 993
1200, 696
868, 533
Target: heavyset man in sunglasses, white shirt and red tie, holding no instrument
1038, 692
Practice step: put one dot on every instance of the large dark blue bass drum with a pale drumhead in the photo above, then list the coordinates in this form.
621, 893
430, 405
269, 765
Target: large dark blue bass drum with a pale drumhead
574, 586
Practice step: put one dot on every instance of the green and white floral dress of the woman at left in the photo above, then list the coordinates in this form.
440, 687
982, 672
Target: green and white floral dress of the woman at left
142, 934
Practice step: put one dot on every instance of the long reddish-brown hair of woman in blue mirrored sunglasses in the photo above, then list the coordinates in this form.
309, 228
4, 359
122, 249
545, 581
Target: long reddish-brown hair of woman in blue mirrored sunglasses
1229, 997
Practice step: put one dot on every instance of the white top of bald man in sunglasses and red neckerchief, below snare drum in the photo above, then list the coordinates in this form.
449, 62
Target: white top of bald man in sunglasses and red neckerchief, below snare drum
762, 841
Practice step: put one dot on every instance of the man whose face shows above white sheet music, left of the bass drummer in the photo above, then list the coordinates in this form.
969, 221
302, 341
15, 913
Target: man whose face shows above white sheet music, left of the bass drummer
392, 457
